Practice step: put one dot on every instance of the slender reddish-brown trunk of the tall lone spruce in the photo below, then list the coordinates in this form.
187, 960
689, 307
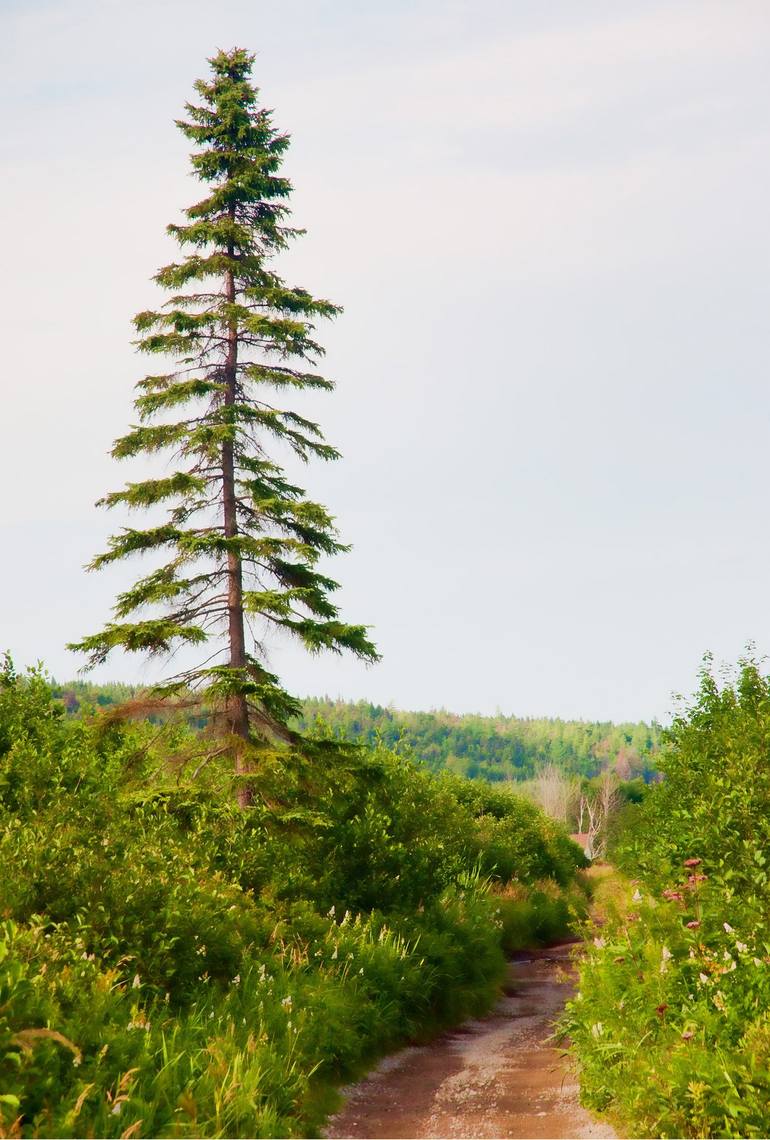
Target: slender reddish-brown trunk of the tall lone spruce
238, 711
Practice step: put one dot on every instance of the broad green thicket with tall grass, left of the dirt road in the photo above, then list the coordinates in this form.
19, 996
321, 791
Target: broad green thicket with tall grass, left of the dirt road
174, 966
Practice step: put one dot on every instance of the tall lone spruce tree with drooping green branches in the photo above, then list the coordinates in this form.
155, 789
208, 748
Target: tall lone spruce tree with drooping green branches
240, 542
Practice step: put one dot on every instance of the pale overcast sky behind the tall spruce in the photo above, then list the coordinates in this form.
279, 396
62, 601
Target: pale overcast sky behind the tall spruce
549, 227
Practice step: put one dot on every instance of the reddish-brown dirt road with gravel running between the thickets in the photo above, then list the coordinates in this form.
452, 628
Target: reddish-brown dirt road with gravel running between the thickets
498, 1077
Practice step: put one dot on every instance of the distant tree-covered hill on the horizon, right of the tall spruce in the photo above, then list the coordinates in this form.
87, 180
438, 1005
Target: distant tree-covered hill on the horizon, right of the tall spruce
495, 748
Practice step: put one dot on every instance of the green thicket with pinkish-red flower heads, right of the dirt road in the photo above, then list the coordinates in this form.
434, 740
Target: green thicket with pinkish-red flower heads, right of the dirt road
672, 1027
